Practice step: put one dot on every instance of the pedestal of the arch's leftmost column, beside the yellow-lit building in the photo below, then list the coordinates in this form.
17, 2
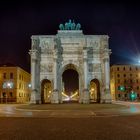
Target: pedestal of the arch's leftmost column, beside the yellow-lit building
35, 97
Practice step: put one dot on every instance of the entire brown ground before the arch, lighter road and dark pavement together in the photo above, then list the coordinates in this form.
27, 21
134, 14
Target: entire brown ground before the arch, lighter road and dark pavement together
70, 122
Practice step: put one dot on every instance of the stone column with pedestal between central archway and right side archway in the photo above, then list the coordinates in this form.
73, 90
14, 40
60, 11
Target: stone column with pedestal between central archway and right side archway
86, 98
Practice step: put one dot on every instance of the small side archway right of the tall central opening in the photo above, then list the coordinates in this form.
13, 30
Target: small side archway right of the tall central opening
95, 90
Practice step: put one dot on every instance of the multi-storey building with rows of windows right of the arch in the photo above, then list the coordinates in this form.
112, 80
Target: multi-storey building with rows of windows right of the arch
127, 76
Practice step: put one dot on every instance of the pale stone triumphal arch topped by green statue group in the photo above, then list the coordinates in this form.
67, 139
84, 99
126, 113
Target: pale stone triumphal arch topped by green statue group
52, 55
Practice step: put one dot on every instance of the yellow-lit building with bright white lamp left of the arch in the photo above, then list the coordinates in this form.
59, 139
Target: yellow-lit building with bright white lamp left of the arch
15, 85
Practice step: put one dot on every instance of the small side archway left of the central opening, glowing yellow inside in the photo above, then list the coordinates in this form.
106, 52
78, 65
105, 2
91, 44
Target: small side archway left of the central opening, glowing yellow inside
46, 91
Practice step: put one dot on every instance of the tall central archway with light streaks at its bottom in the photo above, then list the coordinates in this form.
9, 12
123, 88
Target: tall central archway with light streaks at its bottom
70, 84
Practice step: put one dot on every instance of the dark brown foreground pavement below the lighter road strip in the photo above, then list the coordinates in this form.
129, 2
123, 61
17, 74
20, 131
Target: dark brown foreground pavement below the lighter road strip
104, 128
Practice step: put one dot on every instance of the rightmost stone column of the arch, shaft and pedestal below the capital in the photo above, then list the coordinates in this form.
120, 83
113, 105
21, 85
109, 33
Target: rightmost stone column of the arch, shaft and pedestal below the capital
107, 80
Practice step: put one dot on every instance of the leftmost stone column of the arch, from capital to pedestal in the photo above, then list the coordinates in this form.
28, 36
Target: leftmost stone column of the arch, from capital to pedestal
35, 96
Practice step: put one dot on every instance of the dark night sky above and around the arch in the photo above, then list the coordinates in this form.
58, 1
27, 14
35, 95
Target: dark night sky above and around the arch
20, 20
